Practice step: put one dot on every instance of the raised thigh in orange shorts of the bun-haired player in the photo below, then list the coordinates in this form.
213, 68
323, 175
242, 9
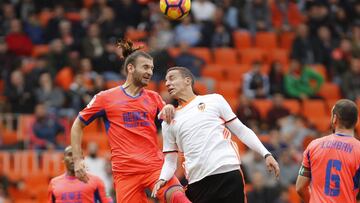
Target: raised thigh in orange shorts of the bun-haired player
172, 185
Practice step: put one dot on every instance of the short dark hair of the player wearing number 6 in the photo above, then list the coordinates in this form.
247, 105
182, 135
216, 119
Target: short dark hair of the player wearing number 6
347, 113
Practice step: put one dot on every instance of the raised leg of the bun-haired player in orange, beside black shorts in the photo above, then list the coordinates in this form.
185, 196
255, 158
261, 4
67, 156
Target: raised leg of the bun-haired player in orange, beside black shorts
171, 192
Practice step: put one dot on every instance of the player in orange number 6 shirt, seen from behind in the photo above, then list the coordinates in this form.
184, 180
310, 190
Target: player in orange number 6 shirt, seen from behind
331, 164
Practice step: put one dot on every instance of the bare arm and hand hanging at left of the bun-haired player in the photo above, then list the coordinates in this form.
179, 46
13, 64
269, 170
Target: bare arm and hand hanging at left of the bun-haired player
76, 137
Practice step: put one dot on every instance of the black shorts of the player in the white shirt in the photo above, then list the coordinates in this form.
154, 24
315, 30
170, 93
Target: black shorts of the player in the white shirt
224, 187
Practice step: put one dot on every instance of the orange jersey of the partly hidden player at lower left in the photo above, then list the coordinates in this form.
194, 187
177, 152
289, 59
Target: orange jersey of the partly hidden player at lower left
68, 189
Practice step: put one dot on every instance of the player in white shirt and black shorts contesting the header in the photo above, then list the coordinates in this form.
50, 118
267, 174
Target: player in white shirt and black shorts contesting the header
200, 129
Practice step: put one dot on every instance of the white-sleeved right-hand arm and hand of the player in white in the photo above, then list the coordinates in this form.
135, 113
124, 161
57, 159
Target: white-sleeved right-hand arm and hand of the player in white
249, 138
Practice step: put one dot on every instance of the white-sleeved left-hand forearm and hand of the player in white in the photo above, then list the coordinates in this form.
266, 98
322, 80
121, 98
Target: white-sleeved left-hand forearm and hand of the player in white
167, 171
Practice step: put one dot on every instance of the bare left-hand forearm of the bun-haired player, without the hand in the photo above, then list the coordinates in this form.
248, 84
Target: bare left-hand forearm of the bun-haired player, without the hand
76, 138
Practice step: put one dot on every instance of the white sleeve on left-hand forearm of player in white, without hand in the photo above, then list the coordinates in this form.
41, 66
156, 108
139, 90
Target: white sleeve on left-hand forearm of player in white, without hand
169, 166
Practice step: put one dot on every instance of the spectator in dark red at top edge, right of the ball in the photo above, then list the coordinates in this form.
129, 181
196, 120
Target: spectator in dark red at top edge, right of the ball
285, 15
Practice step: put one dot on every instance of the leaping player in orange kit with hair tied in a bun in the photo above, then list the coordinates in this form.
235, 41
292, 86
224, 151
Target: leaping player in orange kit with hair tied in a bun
129, 112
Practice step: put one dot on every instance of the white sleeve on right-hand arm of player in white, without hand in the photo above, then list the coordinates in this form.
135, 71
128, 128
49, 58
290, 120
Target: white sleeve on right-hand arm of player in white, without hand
247, 136
